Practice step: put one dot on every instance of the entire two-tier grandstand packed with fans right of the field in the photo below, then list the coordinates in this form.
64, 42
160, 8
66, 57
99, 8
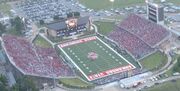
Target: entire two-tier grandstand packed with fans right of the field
138, 35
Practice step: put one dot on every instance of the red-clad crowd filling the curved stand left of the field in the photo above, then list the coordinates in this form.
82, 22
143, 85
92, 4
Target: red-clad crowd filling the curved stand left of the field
33, 60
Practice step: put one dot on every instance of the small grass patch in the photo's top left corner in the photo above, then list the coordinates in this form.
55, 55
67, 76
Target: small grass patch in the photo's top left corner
5, 8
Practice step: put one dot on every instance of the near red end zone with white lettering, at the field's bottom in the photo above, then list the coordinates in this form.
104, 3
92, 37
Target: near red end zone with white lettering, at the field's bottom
110, 72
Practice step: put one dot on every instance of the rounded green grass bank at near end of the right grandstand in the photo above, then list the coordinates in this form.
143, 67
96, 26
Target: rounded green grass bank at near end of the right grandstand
154, 61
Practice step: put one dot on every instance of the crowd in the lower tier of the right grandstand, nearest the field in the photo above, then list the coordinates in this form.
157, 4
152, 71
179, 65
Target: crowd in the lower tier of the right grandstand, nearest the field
132, 43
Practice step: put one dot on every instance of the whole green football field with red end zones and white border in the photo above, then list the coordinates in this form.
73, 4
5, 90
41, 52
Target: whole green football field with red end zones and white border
94, 58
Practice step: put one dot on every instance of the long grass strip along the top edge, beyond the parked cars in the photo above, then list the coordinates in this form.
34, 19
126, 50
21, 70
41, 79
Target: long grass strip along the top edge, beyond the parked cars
106, 4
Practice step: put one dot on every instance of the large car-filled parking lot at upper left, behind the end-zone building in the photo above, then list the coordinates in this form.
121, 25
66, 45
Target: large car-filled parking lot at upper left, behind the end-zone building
46, 9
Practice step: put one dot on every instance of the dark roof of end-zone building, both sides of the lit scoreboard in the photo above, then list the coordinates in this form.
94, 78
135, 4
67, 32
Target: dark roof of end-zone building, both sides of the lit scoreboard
62, 24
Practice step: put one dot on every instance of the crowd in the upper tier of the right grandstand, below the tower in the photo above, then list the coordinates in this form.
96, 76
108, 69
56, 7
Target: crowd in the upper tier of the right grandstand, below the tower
148, 31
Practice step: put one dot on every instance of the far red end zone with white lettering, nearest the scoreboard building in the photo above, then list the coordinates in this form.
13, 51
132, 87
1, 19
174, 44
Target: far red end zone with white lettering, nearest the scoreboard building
77, 41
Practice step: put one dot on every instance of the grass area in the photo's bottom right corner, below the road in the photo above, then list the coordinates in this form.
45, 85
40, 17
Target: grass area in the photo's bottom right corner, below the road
167, 86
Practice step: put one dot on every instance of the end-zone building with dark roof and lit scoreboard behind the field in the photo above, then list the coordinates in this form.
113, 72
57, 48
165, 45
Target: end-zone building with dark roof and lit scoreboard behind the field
69, 26
